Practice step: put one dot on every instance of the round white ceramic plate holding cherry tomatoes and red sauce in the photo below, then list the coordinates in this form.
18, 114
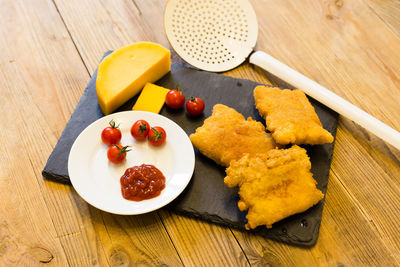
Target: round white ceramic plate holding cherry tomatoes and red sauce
98, 181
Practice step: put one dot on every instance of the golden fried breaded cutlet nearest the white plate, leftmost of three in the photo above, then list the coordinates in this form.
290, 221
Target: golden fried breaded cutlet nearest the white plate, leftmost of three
227, 135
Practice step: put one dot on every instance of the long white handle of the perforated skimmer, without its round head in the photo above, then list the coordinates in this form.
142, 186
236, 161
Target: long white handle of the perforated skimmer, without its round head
326, 97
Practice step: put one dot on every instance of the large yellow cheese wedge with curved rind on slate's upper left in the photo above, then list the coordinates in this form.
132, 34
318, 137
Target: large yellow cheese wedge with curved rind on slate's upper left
124, 72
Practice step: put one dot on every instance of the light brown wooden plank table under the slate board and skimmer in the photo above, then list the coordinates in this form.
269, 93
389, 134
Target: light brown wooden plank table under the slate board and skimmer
49, 50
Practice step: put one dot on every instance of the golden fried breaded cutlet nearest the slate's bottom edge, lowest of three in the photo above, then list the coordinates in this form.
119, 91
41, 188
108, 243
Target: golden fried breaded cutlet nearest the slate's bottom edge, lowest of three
273, 185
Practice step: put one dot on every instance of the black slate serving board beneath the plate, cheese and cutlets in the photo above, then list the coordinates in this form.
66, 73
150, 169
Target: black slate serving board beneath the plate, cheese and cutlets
206, 196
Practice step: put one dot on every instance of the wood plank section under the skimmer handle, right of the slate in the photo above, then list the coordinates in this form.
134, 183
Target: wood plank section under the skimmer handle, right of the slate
373, 182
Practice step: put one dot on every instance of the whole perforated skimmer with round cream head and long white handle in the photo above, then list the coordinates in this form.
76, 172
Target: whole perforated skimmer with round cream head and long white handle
218, 35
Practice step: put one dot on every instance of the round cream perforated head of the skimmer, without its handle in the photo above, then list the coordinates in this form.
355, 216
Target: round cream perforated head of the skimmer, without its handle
211, 35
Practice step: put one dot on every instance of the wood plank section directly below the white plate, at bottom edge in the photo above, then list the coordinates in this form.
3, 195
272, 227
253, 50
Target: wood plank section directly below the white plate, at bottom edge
130, 241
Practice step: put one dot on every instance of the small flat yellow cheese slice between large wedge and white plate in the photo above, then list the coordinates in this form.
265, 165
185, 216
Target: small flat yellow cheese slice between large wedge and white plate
151, 98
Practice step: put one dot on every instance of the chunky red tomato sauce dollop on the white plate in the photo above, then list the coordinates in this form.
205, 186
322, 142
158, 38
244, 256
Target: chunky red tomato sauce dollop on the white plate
142, 182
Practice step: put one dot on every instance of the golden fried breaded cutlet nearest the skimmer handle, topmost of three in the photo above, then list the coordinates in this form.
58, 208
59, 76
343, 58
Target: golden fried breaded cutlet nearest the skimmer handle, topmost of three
290, 116
